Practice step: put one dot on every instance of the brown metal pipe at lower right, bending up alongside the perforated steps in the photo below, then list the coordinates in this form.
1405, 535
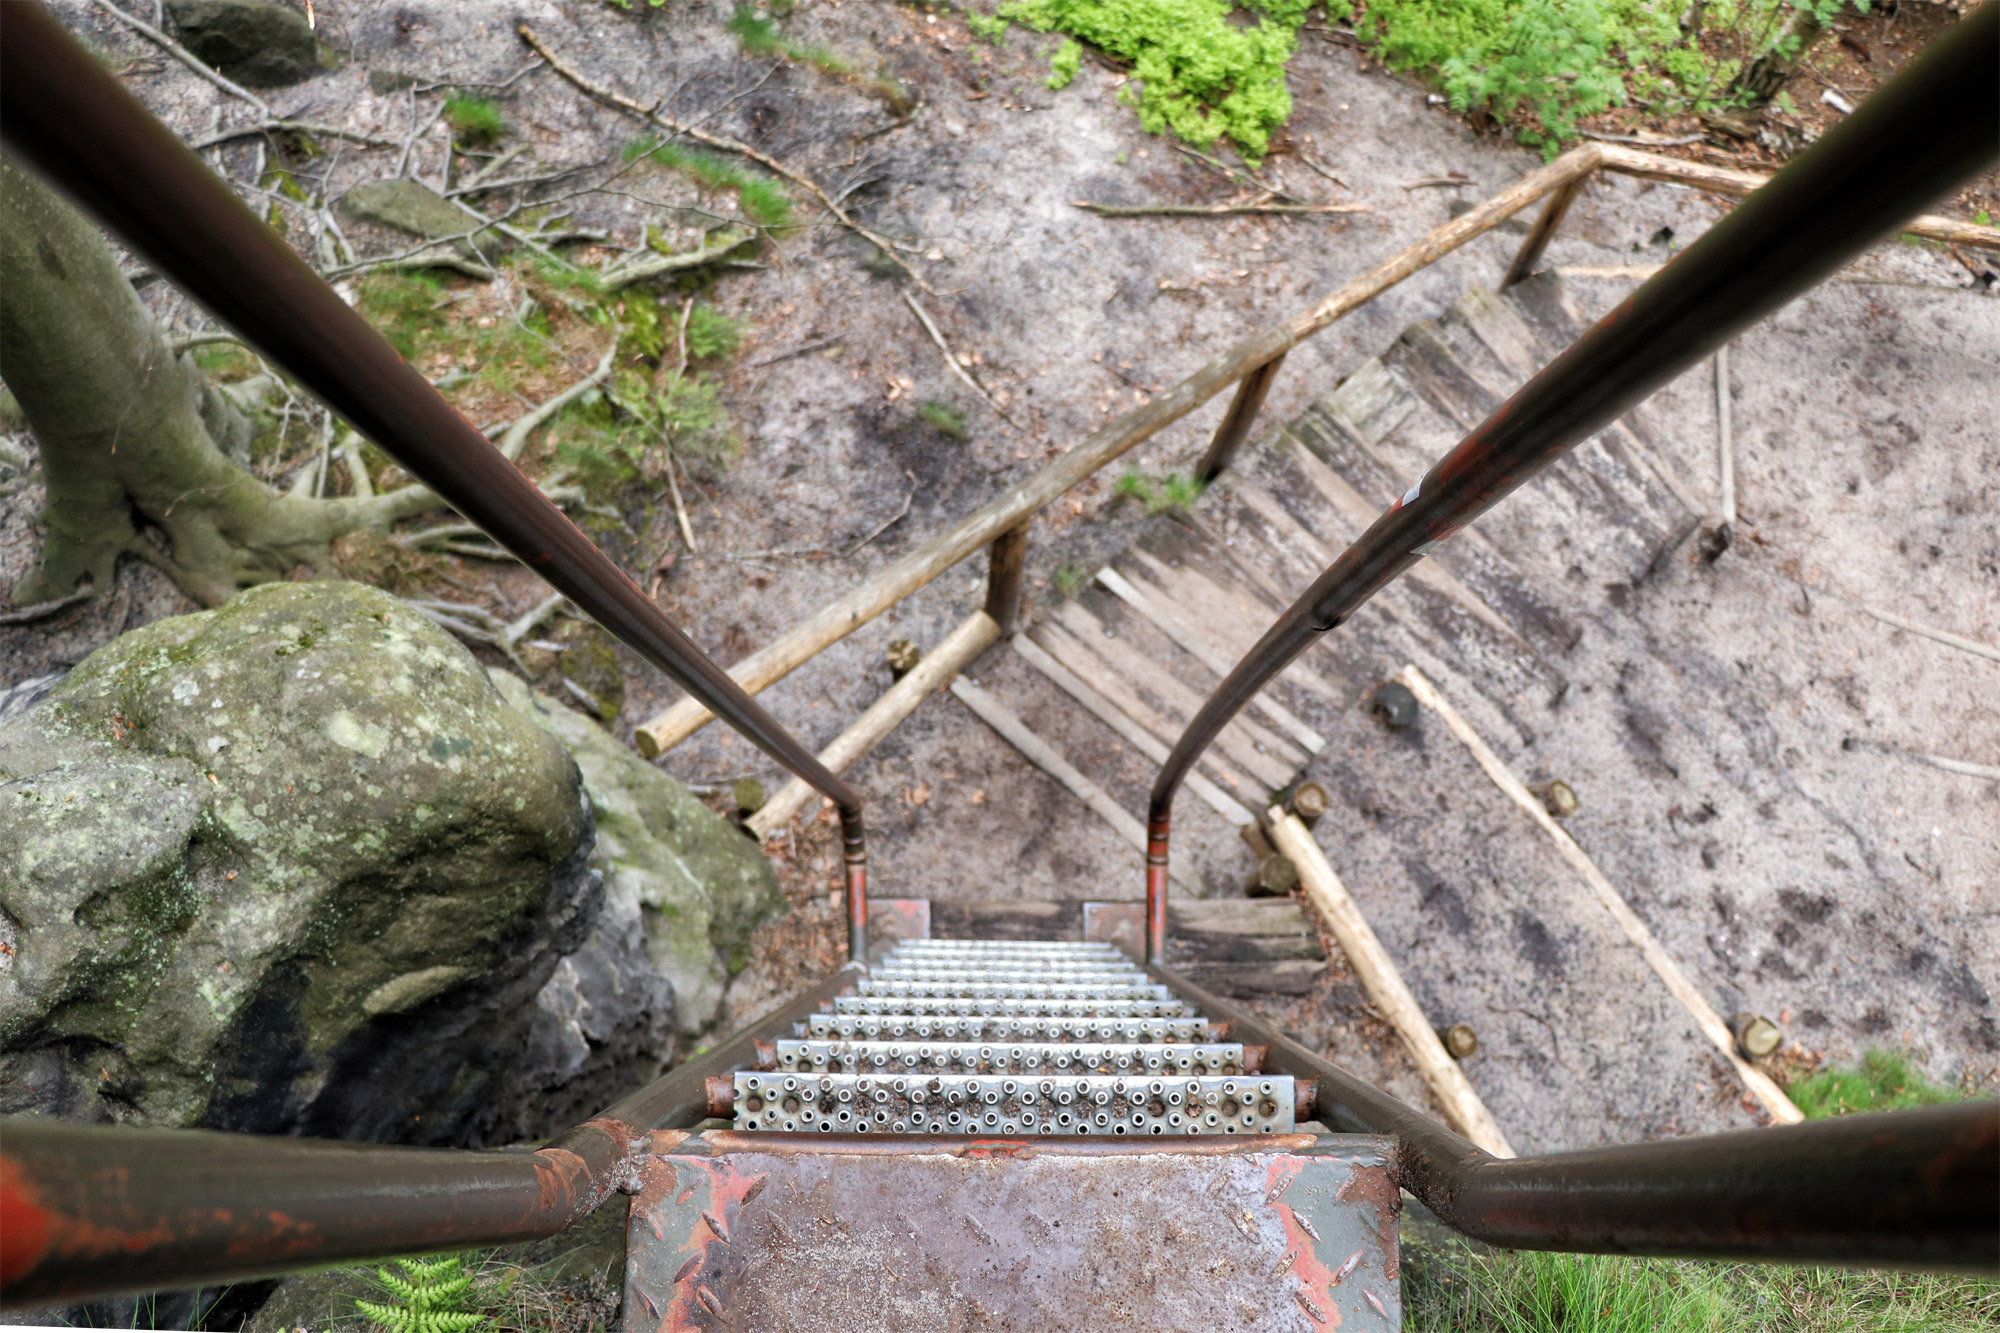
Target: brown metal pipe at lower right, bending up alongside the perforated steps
1909, 1190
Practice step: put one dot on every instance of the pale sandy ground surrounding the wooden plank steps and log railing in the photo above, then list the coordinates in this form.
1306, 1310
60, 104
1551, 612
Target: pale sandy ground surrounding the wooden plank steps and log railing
1741, 744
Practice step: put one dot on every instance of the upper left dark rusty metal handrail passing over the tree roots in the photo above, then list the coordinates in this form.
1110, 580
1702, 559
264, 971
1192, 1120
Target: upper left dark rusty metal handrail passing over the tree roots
79, 127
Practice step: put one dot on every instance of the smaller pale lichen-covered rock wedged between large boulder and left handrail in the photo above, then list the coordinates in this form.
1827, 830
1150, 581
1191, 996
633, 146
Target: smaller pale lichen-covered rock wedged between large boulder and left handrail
697, 884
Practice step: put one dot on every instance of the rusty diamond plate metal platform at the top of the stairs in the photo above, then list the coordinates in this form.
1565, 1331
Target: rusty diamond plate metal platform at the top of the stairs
789, 1234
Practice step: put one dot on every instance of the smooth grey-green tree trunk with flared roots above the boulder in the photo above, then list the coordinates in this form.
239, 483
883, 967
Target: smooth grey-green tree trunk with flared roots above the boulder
119, 421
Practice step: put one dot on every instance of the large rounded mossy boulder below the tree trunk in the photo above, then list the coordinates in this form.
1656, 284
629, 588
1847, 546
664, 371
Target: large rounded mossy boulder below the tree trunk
291, 866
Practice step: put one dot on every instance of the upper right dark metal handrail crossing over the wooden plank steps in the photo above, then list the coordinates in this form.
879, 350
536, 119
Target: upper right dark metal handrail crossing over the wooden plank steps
1923, 133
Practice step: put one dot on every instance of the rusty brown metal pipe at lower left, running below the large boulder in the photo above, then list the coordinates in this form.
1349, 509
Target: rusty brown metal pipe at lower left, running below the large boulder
91, 1210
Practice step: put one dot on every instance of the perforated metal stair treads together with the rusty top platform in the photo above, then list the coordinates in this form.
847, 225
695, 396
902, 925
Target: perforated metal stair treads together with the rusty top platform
1027, 1136
